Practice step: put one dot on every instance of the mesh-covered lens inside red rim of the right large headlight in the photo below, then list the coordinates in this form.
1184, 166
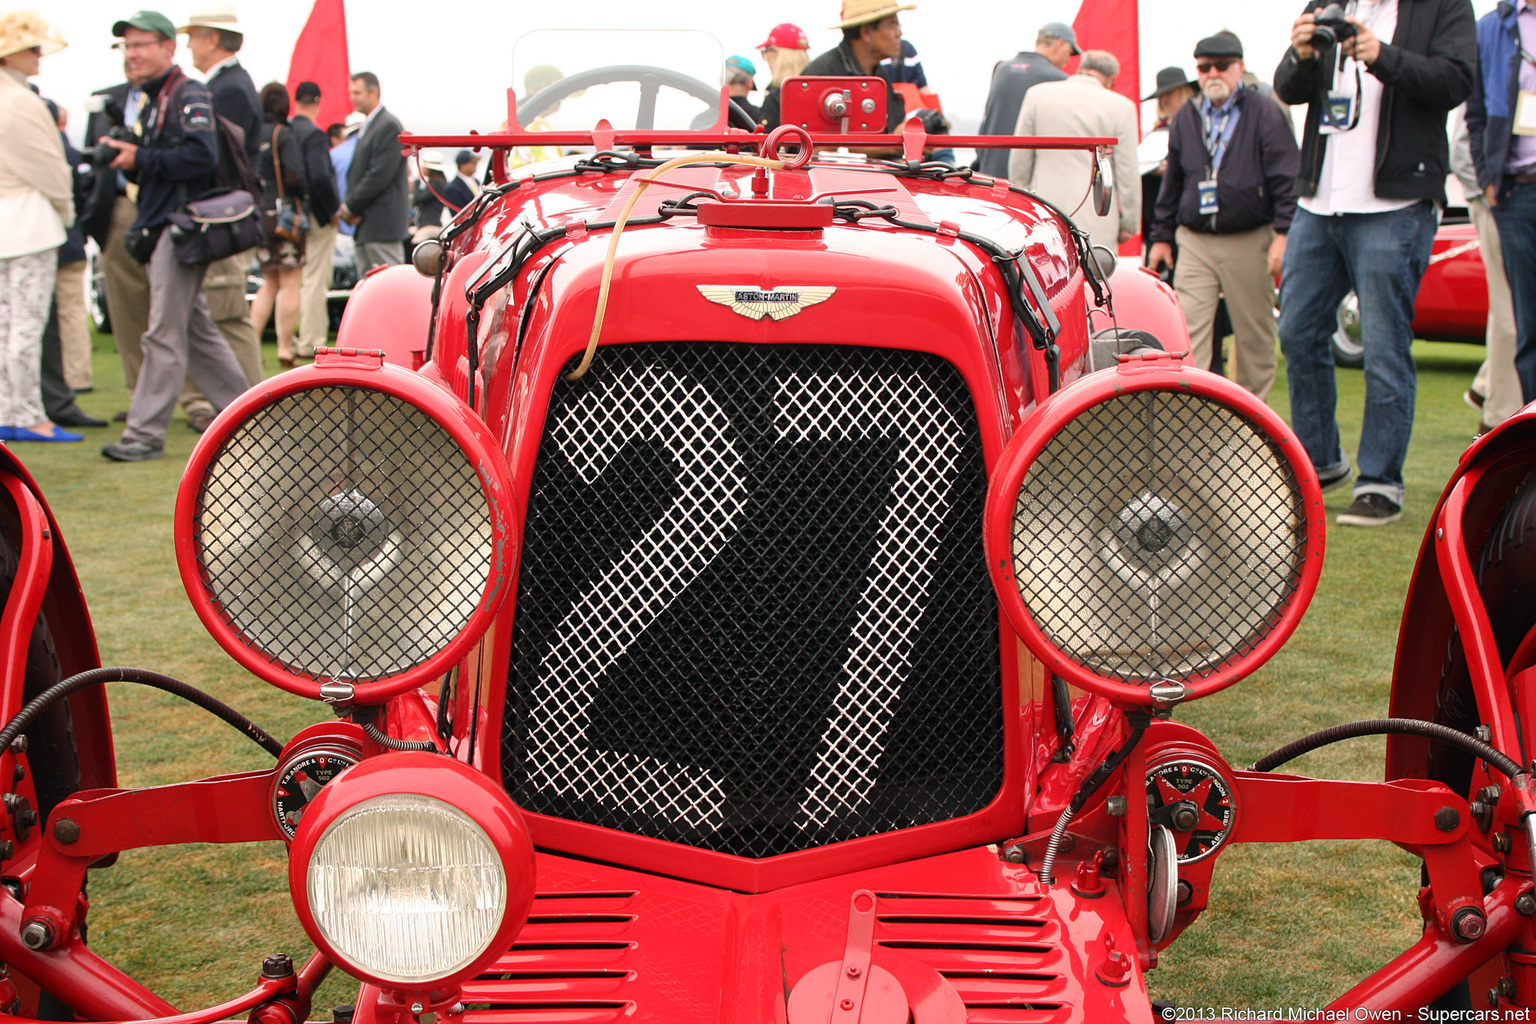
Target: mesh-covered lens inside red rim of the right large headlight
1159, 537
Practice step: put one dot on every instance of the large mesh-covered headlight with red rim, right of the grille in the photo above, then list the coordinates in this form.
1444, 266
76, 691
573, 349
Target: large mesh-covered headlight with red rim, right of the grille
1154, 533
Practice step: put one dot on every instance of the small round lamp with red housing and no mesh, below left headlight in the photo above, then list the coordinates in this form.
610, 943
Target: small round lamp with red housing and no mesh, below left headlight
405, 888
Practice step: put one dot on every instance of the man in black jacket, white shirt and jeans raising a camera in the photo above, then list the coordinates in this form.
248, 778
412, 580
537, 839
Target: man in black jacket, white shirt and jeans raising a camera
1374, 165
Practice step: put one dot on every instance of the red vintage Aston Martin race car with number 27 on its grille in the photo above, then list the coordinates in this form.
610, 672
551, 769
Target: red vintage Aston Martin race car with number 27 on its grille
738, 583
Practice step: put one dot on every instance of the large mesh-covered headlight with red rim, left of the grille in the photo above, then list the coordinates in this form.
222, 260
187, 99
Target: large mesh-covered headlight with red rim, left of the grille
345, 526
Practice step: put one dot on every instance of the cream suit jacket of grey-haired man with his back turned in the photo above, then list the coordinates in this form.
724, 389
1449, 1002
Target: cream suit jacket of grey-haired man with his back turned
1081, 107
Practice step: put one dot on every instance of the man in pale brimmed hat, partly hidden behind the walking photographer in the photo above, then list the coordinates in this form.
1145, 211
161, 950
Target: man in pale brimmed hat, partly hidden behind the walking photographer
214, 39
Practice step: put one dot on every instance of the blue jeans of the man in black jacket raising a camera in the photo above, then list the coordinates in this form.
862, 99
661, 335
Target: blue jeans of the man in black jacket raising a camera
1383, 257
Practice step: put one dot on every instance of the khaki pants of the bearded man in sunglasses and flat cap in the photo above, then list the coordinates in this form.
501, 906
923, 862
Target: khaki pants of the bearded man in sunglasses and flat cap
1234, 268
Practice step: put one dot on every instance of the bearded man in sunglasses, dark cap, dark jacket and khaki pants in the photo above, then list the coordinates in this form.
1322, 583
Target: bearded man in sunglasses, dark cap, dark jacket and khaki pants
1226, 200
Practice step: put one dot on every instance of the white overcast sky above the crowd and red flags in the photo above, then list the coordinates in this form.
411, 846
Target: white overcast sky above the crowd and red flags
446, 67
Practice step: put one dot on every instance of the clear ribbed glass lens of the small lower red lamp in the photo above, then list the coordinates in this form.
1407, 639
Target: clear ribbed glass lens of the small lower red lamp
406, 888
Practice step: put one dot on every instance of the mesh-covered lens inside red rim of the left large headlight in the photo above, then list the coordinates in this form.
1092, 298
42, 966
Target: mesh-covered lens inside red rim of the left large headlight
343, 535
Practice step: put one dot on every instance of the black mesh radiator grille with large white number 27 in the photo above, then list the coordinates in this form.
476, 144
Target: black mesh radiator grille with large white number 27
753, 610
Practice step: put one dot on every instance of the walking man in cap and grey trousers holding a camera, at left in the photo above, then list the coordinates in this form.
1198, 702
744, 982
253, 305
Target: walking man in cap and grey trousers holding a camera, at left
171, 164
